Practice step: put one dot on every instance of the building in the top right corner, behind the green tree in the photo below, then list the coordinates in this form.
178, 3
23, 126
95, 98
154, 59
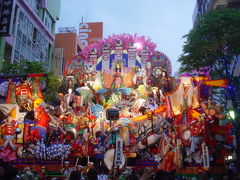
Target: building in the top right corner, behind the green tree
202, 6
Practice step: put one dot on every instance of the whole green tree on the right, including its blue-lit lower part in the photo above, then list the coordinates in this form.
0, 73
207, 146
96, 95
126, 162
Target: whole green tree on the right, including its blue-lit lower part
215, 43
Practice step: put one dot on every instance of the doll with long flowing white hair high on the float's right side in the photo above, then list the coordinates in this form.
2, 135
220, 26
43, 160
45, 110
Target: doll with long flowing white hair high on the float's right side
184, 99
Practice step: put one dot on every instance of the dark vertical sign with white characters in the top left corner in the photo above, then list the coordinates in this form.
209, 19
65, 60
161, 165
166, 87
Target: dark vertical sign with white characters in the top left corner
6, 17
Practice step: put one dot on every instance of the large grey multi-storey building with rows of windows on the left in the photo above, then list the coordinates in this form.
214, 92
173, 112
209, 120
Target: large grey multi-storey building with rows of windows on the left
29, 33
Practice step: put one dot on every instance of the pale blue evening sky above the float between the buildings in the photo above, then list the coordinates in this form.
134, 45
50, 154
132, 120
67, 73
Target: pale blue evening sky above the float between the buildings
164, 21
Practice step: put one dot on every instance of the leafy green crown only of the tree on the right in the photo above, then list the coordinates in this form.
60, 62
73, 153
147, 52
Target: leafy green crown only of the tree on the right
215, 38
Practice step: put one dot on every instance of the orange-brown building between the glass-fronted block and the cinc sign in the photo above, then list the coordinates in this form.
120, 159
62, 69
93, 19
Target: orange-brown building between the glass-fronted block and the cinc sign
68, 43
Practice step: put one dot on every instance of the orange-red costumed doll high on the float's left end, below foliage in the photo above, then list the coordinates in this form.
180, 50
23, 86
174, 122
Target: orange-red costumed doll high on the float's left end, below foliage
23, 94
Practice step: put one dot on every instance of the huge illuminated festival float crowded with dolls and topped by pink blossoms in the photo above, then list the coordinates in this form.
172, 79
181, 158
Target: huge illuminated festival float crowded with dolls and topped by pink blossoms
118, 106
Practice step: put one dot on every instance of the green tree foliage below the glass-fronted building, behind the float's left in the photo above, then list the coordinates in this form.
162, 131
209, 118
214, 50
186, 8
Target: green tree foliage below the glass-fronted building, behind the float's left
28, 67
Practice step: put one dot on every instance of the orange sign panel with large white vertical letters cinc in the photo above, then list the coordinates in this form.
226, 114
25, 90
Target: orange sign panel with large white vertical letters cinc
90, 33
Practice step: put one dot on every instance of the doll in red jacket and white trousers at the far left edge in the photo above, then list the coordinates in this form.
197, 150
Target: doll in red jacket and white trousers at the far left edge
8, 130
